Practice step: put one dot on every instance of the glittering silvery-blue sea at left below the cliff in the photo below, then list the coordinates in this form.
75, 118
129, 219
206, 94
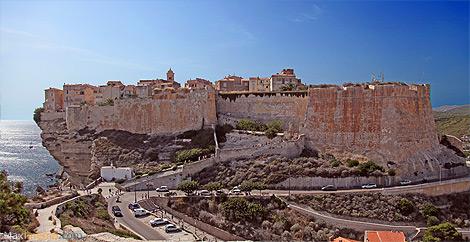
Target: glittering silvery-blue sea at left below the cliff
23, 156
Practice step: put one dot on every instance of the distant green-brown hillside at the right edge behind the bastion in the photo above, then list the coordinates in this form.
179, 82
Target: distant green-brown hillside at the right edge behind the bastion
454, 121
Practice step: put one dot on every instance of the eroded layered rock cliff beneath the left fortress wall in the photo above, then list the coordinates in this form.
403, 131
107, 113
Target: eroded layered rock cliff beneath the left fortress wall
82, 153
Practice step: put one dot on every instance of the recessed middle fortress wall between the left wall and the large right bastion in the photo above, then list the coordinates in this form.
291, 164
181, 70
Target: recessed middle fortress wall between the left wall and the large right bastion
262, 107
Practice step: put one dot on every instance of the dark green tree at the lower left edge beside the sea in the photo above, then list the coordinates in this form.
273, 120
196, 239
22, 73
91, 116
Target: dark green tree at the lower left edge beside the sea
12, 204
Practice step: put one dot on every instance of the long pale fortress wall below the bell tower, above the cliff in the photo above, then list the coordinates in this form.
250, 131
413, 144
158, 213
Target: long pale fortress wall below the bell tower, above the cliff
140, 115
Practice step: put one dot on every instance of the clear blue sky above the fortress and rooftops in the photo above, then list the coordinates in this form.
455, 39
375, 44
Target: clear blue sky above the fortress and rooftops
47, 43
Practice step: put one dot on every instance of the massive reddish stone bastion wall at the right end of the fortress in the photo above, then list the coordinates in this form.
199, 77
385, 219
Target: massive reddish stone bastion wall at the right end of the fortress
381, 122
